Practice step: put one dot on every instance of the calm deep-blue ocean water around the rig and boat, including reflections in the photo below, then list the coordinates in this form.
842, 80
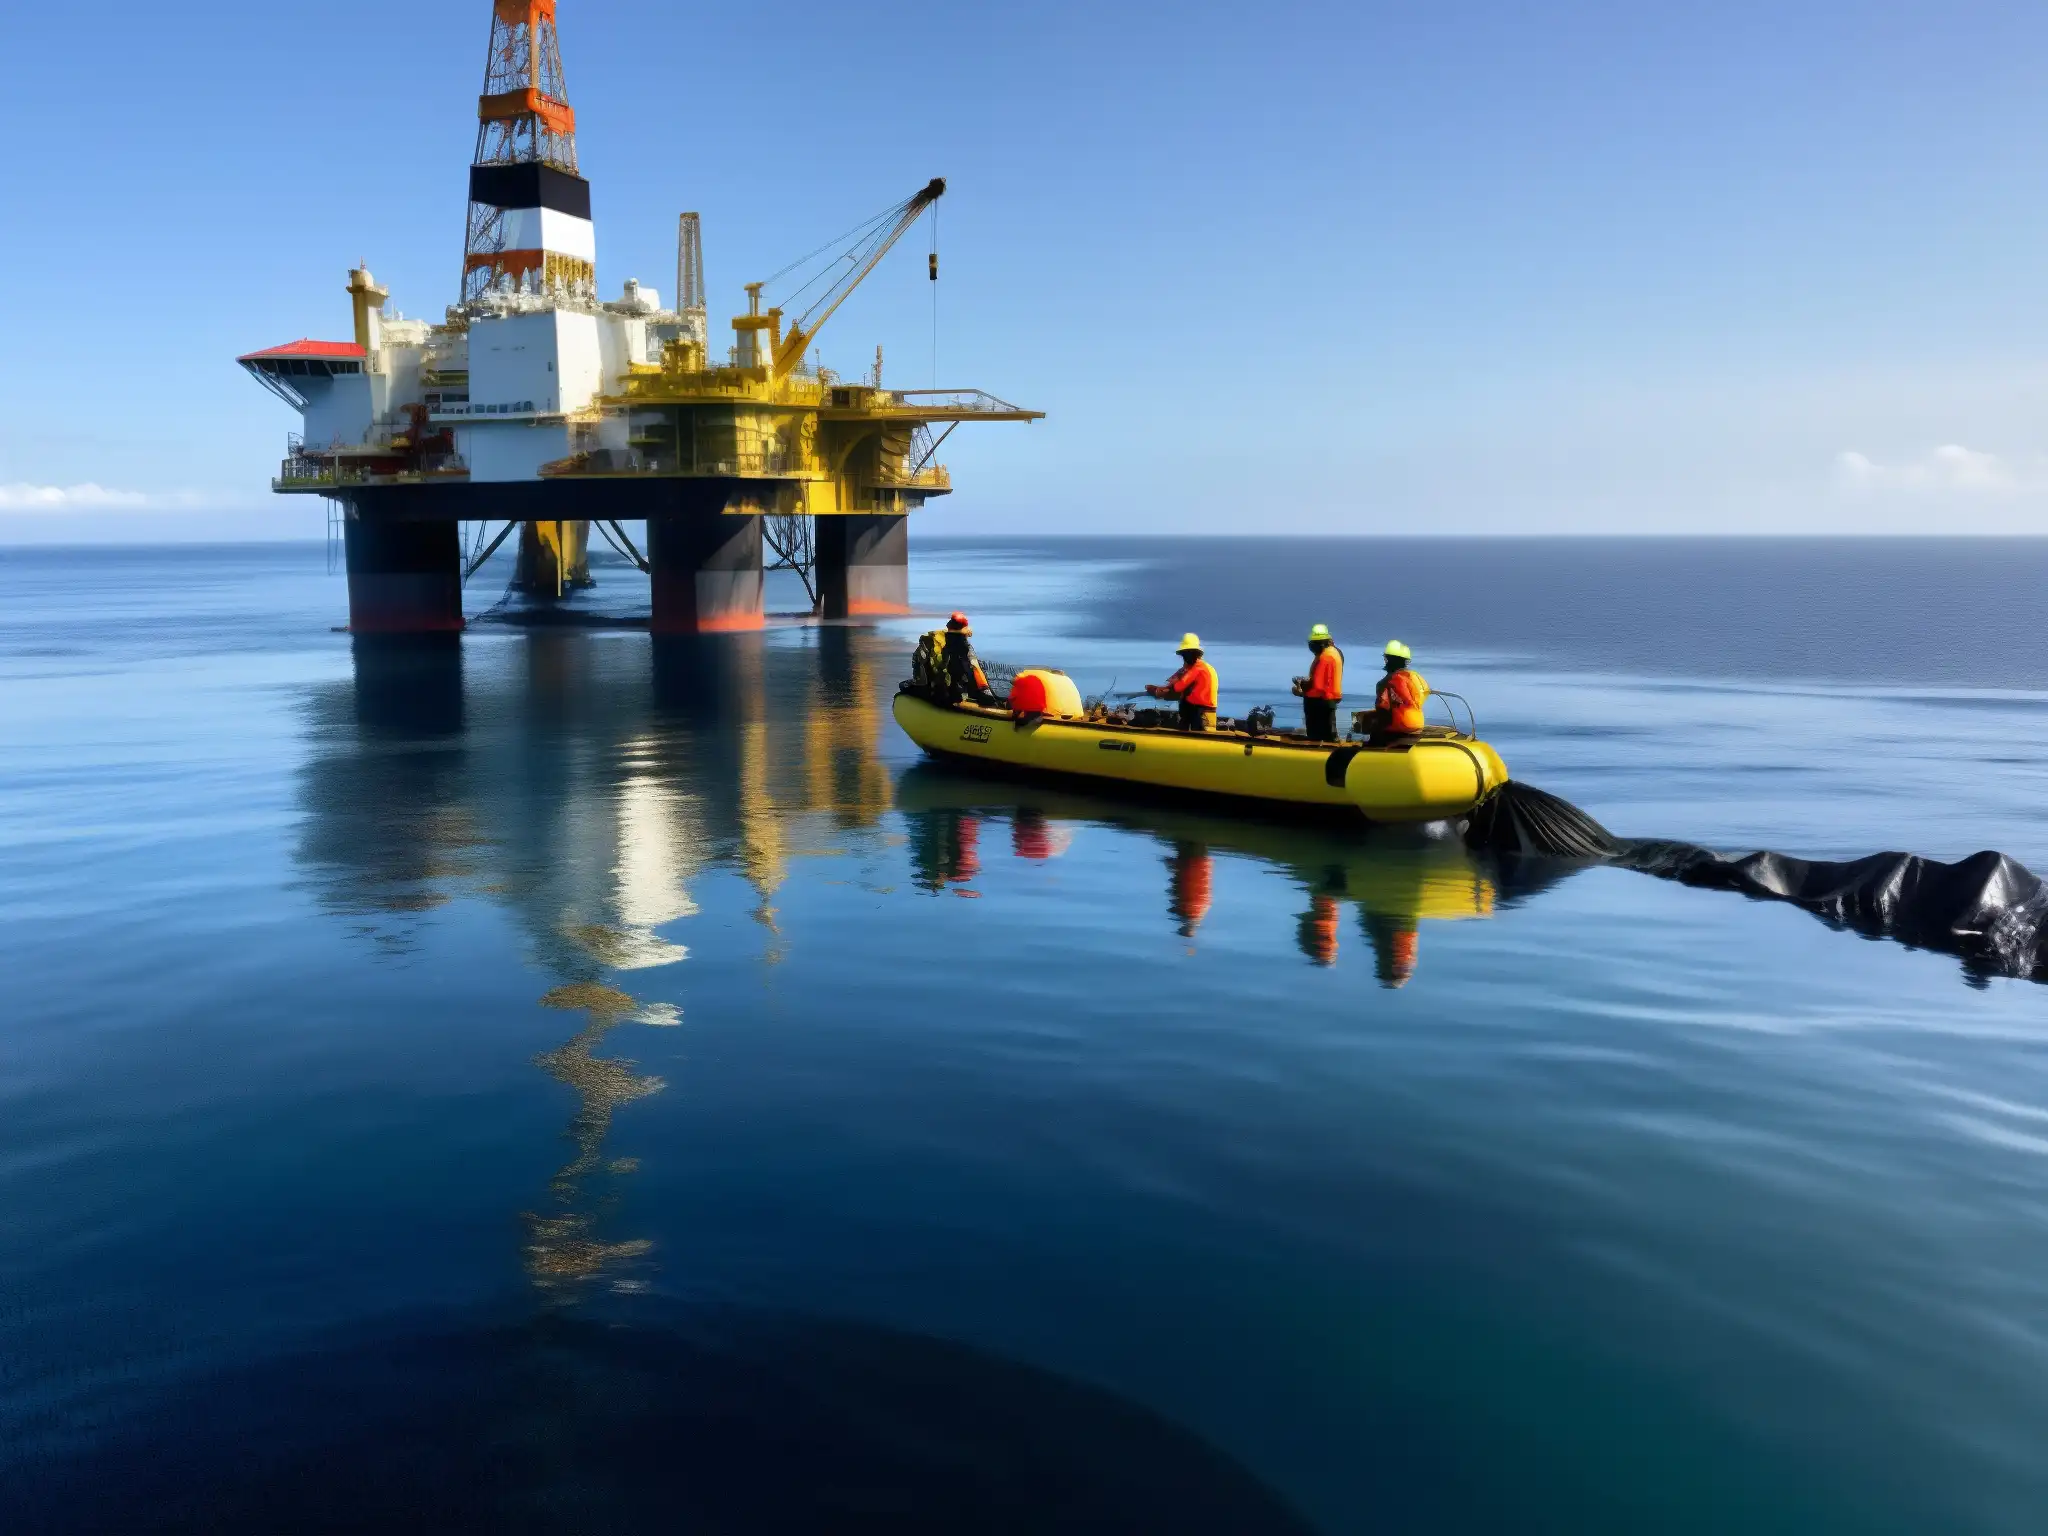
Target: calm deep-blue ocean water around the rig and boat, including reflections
566, 1082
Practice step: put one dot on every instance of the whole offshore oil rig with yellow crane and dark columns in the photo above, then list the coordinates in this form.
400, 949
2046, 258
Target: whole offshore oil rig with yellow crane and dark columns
540, 407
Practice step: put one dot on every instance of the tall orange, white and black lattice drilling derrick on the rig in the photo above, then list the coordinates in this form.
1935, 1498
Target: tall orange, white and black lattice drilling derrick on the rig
529, 208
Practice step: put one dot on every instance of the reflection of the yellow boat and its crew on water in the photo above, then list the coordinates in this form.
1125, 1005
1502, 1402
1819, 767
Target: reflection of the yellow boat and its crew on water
1396, 880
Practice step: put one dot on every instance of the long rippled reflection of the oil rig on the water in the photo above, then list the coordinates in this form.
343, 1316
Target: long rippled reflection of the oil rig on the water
728, 765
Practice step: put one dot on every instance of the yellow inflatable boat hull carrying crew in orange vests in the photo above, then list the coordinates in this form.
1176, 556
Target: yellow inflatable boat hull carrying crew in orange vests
1435, 777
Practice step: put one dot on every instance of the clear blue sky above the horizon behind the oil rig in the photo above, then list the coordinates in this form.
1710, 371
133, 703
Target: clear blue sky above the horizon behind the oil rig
1291, 267
